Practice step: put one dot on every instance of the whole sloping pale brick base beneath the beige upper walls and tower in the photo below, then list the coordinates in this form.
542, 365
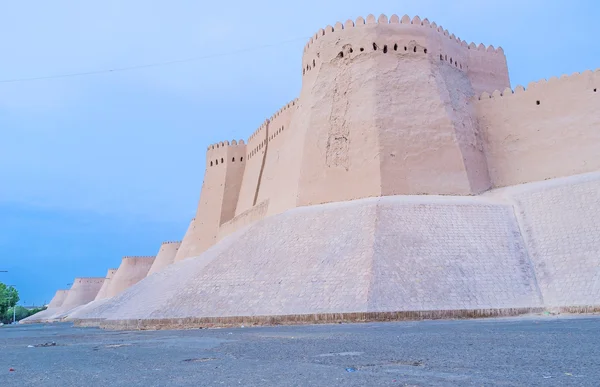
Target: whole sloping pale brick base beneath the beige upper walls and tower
513, 250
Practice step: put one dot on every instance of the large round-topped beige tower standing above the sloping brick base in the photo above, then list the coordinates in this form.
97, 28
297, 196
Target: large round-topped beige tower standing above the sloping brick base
386, 110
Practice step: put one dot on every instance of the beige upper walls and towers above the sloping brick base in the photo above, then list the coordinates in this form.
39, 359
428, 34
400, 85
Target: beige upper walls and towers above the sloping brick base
398, 106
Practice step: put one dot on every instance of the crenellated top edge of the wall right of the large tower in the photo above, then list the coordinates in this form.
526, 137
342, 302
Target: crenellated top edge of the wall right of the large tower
563, 80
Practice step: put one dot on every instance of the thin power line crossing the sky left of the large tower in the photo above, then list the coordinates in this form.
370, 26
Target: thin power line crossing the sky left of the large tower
149, 65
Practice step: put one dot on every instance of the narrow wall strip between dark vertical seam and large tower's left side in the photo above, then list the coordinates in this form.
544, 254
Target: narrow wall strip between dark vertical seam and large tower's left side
277, 139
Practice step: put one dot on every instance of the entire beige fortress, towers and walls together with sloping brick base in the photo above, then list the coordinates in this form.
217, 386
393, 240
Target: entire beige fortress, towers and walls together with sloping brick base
407, 180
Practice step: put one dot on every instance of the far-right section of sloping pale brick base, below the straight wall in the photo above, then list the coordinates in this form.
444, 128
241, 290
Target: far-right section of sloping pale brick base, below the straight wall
560, 220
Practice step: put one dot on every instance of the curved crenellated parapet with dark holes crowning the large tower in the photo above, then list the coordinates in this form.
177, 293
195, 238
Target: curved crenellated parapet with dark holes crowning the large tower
486, 66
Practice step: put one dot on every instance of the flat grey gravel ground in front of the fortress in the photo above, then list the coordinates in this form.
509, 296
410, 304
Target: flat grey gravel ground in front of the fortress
533, 351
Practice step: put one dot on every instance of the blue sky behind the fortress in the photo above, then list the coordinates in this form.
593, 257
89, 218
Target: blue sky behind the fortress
96, 167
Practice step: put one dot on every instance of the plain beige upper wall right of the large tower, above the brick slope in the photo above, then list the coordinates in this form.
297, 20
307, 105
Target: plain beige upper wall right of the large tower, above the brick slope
526, 141
